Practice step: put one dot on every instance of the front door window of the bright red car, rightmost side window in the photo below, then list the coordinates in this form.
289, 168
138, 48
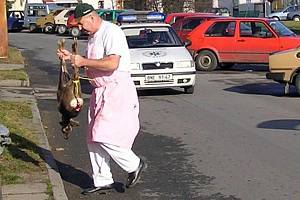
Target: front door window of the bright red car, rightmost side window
254, 29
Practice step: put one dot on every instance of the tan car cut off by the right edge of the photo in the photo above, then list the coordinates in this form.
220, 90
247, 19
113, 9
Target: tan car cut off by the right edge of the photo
284, 67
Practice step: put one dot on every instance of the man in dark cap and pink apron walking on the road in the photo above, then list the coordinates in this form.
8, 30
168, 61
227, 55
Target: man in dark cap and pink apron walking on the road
114, 107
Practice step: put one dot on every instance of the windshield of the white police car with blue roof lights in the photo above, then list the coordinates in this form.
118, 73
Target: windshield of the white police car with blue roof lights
148, 37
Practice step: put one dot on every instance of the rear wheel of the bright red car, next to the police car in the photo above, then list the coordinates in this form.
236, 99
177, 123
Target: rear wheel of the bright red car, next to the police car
206, 61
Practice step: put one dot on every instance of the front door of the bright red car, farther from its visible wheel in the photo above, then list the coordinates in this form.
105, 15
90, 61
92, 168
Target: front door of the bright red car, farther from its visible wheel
255, 42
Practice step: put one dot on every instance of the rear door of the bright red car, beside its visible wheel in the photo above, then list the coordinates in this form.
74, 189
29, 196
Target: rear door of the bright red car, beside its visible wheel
220, 37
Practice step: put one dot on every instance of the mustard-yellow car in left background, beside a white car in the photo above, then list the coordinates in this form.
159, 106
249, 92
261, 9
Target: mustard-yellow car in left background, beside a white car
47, 23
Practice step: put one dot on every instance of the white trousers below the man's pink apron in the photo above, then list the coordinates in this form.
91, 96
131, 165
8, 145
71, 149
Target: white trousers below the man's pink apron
100, 154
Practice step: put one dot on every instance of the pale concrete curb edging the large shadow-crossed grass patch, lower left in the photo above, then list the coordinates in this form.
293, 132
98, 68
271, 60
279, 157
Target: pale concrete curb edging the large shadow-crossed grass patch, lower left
54, 176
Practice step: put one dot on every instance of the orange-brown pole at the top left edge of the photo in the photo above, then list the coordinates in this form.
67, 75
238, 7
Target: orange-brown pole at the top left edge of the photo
3, 30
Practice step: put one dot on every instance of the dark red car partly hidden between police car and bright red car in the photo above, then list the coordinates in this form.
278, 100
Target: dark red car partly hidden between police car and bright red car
185, 25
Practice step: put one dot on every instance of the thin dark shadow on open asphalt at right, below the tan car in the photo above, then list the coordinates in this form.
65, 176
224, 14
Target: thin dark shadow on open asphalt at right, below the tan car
283, 124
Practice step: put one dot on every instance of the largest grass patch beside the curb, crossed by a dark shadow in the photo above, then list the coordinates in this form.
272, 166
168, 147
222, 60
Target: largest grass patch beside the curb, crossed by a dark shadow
21, 159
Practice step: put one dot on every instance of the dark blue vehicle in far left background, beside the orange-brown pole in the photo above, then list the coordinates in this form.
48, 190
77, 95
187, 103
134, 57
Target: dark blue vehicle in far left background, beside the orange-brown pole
15, 20
